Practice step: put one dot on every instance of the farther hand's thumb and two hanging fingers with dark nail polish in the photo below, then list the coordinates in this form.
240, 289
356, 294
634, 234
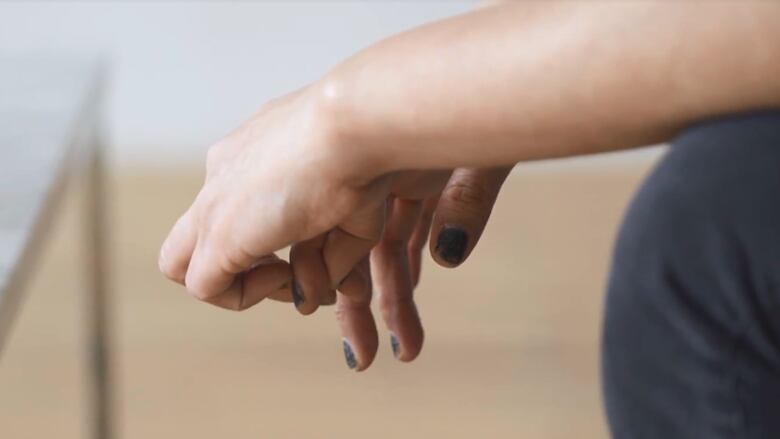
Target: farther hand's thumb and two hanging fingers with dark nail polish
456, 220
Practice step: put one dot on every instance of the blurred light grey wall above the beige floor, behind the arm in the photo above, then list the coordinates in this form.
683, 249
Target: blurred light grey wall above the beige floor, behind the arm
184, 73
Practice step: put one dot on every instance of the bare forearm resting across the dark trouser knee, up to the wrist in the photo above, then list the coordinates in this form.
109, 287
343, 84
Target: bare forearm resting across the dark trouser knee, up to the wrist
537, 80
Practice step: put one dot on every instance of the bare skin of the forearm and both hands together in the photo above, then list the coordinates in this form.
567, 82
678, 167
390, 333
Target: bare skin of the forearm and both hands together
418, 132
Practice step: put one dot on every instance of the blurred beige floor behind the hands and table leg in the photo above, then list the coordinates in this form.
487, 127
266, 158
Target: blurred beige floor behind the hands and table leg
511, 348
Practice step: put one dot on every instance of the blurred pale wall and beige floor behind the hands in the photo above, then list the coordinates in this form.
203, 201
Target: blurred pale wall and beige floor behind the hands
511, 337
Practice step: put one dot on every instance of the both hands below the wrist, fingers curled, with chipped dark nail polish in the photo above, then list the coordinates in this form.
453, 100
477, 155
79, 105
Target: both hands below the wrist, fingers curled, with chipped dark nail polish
283, 178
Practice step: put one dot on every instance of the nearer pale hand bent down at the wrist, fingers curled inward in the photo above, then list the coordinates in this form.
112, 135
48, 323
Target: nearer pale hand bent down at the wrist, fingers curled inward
278, 179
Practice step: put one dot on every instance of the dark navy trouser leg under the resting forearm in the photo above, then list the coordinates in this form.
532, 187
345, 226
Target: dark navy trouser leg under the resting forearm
691, 341
